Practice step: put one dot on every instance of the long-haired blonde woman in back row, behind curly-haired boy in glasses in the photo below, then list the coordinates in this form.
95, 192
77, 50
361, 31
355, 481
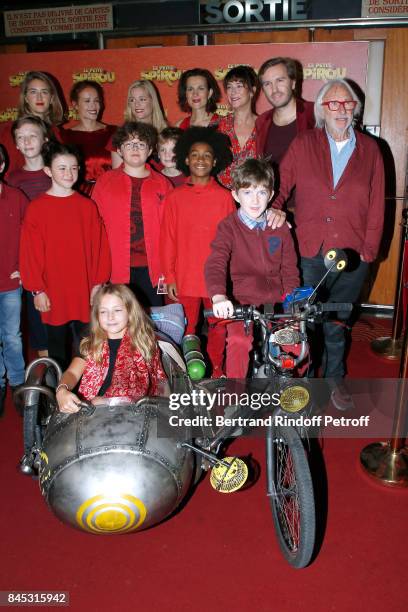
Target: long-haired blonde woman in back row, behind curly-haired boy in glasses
144, 105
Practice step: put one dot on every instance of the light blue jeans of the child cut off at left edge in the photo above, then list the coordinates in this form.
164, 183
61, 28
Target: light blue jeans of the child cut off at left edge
11, 349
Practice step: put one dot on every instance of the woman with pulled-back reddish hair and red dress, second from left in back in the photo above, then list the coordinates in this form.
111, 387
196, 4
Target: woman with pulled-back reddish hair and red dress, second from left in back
89, 134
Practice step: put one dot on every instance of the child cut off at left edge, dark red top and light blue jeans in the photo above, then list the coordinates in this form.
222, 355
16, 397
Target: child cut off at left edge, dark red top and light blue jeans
12, 208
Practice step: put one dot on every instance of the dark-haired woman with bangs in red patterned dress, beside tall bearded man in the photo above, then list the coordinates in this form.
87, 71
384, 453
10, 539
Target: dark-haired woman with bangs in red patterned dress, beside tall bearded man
242, 88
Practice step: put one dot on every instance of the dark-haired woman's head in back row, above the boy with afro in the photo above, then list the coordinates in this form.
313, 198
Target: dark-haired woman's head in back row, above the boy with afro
198, 94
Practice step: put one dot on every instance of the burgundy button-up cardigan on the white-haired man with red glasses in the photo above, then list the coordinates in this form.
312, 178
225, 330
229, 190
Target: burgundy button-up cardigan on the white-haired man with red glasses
350, 215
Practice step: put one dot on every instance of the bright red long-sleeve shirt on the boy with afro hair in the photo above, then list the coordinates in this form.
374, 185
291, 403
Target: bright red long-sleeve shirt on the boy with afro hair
191, 217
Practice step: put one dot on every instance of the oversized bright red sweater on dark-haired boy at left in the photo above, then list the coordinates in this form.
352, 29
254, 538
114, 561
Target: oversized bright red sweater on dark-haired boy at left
64, 251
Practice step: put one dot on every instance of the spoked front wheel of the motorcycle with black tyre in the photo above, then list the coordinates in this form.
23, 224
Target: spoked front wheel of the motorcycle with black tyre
290, 491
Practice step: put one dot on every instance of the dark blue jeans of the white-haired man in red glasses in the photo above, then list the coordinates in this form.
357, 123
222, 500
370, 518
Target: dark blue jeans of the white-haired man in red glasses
338, 287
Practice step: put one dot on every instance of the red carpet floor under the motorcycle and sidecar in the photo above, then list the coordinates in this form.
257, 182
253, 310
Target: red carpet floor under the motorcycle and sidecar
219, 552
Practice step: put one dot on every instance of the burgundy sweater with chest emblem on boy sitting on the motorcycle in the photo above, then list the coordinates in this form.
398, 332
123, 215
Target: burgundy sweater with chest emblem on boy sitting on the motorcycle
261, 263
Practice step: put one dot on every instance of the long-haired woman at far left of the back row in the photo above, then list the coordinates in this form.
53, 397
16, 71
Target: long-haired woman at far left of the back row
38, 97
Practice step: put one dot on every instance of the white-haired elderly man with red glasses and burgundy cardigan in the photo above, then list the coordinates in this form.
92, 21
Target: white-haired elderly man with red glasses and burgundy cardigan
339, 178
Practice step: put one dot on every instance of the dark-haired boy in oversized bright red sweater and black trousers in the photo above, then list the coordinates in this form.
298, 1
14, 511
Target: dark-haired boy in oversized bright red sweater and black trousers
64, 252
